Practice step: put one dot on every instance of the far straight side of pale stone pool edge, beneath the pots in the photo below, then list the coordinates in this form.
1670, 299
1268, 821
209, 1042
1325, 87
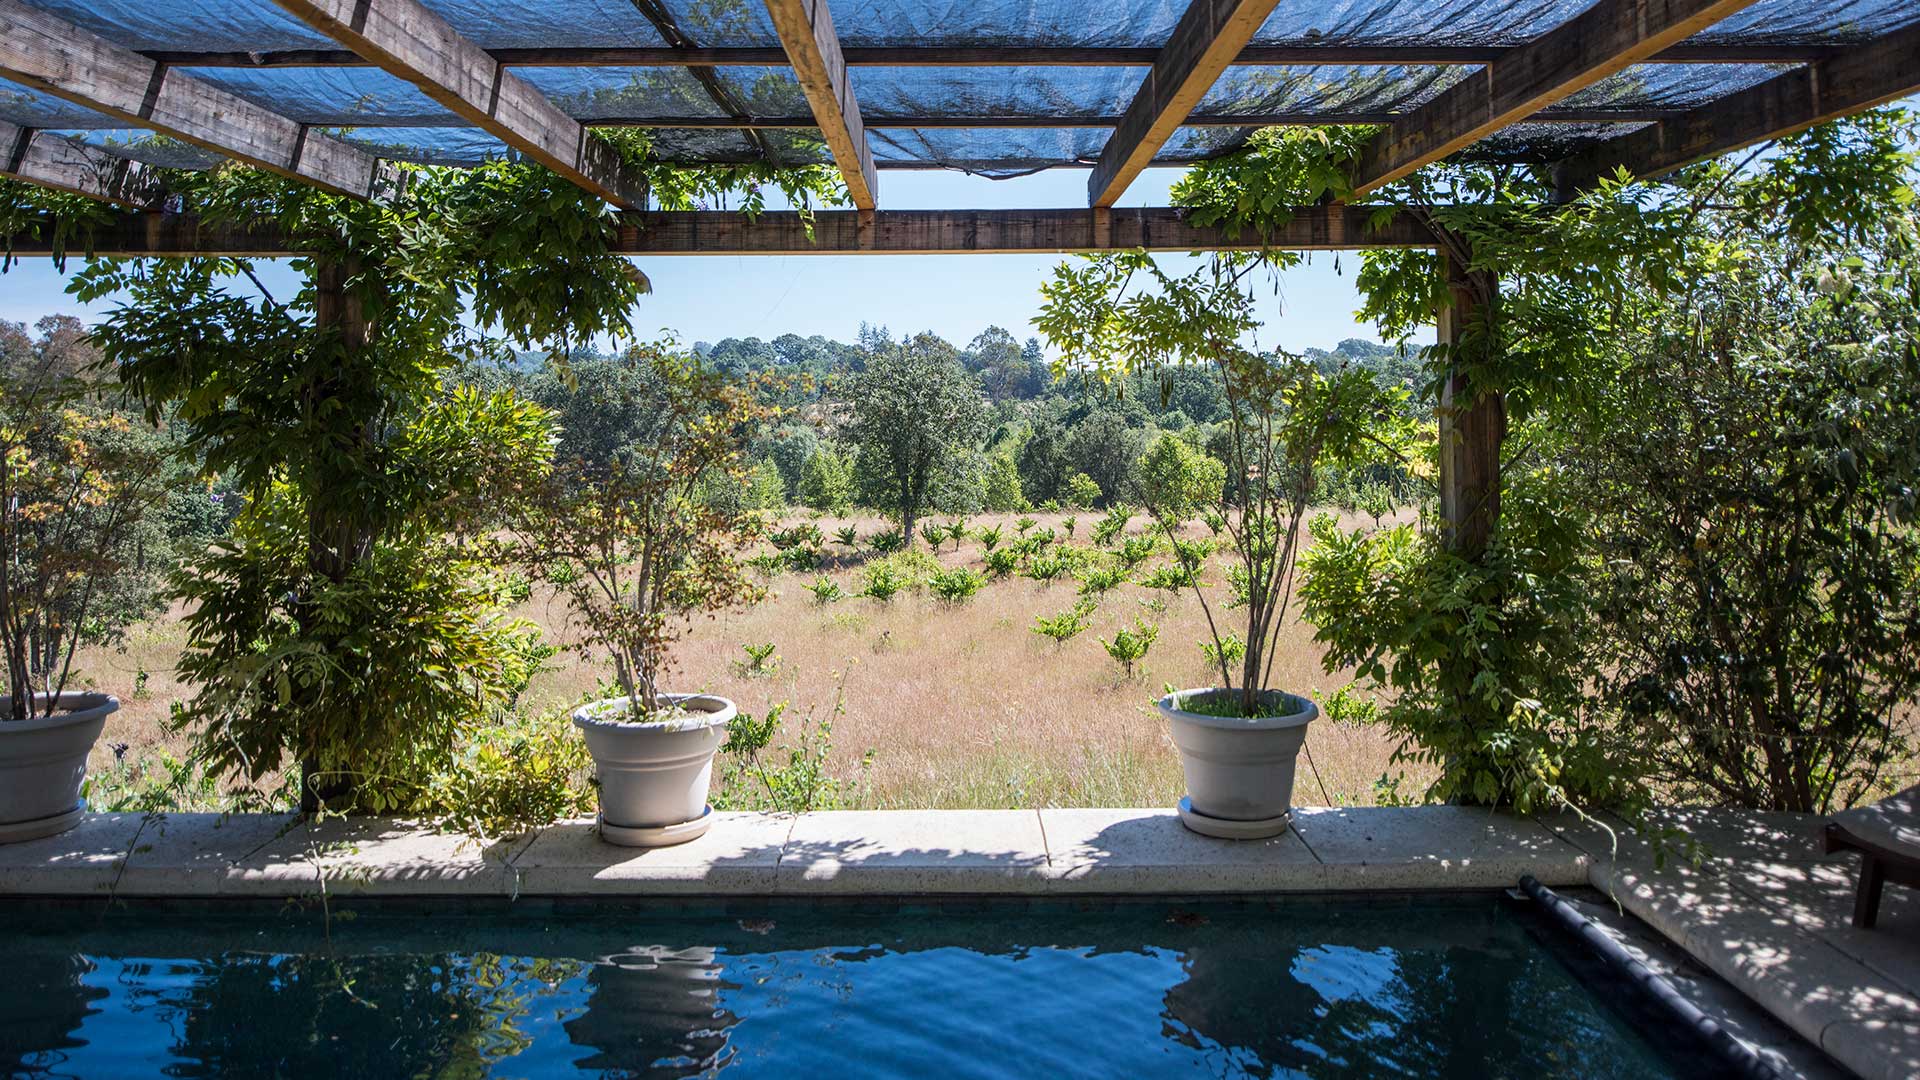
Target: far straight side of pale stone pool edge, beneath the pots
1053, 852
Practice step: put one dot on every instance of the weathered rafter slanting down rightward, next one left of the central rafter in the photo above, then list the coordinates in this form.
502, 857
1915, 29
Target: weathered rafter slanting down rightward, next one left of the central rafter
412, 43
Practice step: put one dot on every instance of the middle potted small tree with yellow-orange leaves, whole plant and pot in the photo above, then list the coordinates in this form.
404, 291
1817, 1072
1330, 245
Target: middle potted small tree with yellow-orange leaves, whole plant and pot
640, 545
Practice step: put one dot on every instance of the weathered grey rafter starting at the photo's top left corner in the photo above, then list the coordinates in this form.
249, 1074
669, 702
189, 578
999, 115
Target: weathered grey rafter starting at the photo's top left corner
80, 66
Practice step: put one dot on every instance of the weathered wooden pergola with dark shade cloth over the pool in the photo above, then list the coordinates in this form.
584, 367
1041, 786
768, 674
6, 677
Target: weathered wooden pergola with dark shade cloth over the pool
1527, 86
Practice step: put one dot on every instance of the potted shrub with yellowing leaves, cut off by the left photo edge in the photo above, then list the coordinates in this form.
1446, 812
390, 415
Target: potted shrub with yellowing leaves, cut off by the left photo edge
74, 487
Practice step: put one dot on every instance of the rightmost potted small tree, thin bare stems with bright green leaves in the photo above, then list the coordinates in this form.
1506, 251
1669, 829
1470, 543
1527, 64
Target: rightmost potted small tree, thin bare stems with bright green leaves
1285, 418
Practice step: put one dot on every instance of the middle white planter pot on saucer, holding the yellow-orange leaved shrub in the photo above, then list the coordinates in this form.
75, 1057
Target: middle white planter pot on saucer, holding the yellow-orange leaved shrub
654, 775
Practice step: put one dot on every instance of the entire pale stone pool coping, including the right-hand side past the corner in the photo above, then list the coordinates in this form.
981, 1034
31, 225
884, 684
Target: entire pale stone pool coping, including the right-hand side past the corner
1764, 910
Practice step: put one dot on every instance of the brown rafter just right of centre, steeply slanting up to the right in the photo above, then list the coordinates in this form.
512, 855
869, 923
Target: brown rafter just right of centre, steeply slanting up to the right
1205, 43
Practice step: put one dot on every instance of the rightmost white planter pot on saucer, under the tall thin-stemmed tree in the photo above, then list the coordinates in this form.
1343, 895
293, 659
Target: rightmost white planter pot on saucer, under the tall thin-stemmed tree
1239, 770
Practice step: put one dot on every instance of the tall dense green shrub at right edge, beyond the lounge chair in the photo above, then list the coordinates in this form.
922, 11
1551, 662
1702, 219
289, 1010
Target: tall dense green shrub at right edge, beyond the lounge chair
1754, 499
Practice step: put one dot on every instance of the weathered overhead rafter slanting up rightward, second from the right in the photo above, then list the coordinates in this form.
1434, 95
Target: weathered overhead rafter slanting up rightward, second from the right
1579, 53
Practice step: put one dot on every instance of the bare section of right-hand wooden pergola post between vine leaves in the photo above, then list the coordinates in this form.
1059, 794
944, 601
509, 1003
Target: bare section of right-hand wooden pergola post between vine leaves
1472, 424
